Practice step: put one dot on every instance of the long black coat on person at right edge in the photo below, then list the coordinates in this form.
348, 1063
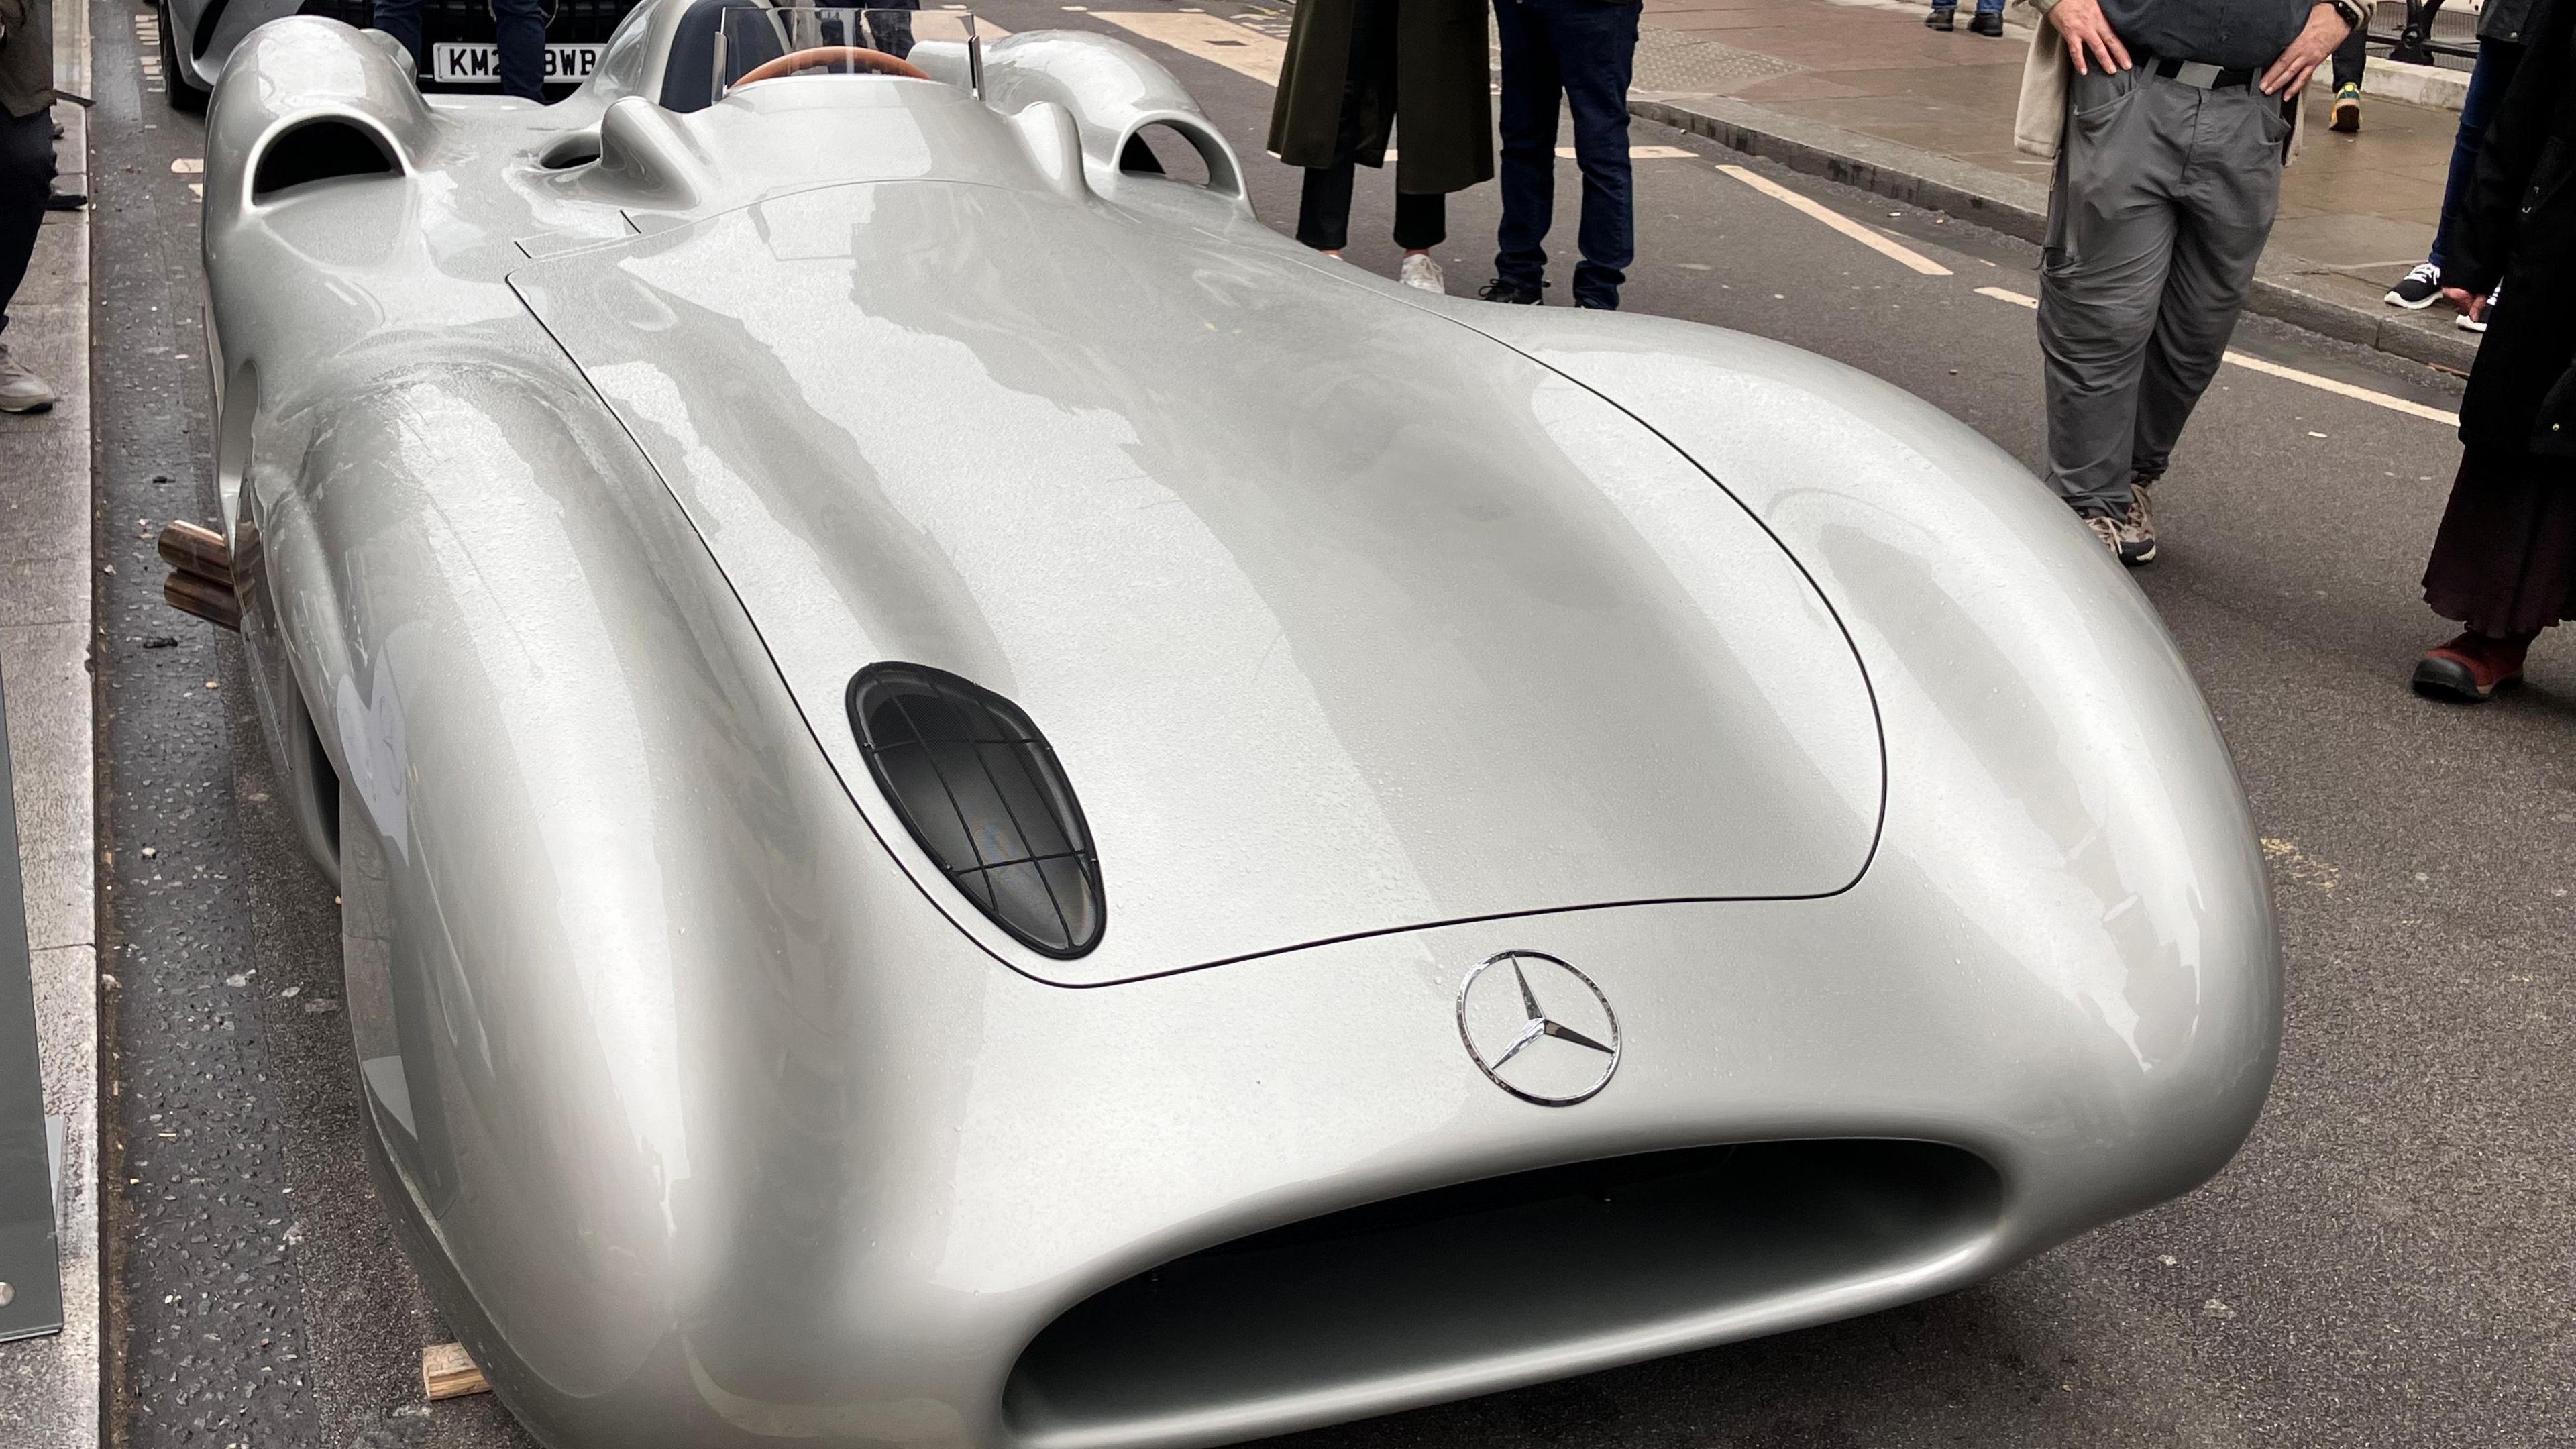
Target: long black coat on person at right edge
2521, 228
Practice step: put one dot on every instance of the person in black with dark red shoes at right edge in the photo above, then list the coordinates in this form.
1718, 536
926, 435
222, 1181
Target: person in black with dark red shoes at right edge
2505, 561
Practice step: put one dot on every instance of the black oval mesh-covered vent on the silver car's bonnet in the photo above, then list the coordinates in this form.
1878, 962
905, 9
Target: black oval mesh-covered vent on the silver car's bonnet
983, 795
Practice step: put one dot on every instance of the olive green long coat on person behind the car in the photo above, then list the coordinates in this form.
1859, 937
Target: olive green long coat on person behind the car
1444, 94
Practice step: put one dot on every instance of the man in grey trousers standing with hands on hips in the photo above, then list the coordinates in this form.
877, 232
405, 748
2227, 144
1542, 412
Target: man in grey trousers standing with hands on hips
2170, 122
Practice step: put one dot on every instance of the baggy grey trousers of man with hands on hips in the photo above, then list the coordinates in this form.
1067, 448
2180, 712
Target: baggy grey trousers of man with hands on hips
2163, 205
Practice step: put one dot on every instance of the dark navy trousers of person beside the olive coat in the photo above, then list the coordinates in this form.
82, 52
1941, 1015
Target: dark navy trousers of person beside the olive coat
1575, 53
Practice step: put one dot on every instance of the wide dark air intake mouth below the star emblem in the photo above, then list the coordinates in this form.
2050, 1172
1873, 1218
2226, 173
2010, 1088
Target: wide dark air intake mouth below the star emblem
1495, 1283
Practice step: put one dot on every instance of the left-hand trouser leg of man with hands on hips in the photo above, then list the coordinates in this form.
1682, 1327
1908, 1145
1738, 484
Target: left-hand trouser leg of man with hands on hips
2111, 236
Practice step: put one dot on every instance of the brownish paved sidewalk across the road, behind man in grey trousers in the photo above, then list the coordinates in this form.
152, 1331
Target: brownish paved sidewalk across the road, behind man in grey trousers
1866, 94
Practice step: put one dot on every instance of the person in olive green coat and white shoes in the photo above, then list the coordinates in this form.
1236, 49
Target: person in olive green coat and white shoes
1351, 71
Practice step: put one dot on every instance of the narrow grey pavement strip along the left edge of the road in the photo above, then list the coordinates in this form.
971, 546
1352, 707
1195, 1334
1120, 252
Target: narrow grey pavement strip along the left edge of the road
50, 1388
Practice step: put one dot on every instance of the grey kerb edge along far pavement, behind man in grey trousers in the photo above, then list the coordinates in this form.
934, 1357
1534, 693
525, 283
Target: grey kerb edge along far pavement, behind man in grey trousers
2286, 287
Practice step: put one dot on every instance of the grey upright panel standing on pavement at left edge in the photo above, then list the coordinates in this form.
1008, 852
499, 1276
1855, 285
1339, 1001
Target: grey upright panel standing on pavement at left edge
30, 1143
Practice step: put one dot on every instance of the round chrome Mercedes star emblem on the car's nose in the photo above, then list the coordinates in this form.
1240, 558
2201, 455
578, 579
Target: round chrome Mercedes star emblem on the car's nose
1539, 1027
